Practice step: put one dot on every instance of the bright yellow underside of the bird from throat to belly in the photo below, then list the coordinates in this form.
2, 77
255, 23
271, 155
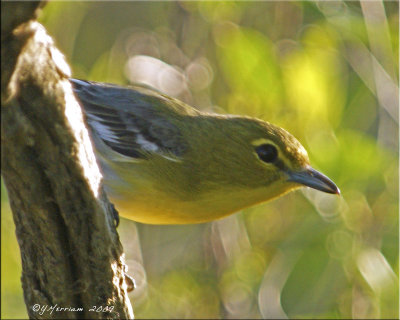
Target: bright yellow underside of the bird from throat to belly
155, 207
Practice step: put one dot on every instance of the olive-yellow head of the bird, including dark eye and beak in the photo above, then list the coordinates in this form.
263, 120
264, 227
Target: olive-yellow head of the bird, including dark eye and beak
261, 156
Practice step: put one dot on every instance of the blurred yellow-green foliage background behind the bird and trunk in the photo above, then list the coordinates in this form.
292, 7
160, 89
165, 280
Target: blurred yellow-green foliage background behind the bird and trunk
328, 72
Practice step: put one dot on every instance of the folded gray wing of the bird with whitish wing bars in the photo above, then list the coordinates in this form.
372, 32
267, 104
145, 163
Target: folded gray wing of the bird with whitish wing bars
126, 120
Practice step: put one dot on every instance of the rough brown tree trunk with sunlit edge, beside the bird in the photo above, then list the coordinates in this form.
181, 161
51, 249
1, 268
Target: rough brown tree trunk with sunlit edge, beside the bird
71, 254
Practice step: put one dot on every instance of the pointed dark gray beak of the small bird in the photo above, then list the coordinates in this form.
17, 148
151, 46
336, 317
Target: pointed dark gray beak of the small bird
314, 179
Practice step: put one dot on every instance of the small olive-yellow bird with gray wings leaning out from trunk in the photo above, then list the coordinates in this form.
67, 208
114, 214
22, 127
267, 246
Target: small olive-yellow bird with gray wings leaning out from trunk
165, 162
